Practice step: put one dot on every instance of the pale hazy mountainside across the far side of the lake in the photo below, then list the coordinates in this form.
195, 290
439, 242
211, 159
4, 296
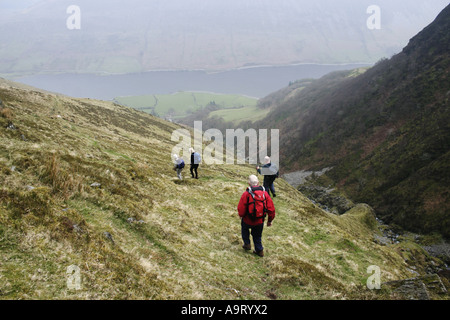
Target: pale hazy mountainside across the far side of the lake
137, 35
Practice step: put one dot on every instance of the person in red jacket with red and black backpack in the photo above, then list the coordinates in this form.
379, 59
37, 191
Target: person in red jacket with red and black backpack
254, 205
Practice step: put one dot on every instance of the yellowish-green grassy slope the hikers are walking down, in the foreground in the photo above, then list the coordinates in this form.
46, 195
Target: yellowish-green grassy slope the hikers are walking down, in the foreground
89, 183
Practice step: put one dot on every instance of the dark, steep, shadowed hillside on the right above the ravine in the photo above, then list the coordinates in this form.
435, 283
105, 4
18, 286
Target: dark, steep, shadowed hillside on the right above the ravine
385, 133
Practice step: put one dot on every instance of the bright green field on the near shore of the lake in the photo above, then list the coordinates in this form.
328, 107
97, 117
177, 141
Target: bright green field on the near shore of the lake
182, 104
